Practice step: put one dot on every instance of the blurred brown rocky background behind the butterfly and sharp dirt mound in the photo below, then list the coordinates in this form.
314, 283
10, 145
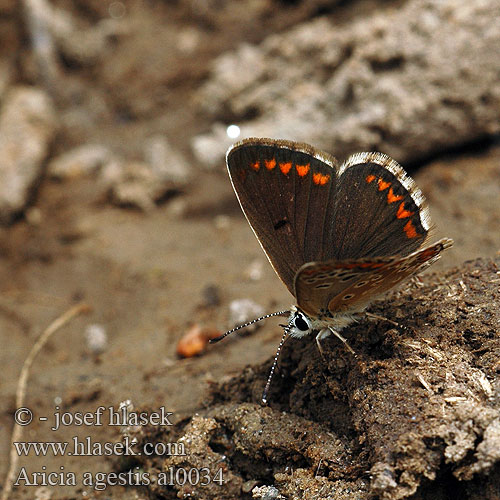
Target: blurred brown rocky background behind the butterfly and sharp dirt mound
114, 120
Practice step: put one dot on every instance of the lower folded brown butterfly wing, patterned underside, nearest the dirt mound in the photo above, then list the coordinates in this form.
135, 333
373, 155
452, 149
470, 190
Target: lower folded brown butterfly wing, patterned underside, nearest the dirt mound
349, 286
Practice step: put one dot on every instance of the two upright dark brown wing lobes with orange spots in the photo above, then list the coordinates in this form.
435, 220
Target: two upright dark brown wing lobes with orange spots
304, 208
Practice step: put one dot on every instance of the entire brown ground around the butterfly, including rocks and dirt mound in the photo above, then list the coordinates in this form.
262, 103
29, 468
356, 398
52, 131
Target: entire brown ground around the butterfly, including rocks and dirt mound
113, 193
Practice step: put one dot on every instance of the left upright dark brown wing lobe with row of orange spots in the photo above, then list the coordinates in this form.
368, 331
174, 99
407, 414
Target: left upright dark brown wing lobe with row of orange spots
287, 192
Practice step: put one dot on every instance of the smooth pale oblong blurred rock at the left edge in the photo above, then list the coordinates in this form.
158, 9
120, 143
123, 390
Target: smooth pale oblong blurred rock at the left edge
27, 128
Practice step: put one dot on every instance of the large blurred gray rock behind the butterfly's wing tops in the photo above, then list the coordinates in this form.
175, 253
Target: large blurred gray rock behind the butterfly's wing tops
408, 82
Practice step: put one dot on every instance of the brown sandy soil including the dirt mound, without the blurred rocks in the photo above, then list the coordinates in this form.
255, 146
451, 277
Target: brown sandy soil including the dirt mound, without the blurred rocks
333, 424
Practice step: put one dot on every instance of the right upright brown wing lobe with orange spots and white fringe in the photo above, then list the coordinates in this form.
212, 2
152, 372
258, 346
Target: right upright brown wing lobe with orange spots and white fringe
379, 210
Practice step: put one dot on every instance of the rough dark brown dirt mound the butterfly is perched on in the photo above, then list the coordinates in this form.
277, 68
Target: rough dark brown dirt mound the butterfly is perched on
413, 414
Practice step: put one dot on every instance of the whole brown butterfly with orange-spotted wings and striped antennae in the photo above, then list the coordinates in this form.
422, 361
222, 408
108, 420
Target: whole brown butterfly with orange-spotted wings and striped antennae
337, 235
